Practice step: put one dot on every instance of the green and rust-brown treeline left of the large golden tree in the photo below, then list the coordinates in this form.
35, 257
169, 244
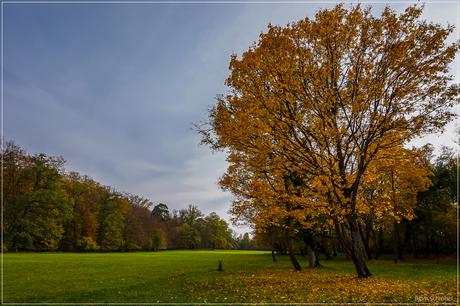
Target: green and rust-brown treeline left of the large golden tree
46, 208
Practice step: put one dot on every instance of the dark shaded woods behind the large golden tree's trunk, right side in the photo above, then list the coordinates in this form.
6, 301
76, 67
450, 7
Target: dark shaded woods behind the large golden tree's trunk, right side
430, 231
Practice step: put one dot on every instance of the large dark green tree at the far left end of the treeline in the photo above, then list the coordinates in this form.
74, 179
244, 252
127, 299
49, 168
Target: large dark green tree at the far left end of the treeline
35, 203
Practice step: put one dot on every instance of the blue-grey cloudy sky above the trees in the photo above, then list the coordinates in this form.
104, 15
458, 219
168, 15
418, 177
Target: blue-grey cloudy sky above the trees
115, 88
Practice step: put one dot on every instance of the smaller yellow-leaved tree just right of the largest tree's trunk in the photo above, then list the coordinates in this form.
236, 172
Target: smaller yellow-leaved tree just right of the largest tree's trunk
388, 193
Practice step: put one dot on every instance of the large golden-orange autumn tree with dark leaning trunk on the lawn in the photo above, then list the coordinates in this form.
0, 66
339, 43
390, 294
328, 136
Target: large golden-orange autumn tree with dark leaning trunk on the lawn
321, 98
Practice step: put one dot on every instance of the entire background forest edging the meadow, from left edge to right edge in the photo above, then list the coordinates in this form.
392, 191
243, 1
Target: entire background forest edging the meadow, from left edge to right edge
46, 208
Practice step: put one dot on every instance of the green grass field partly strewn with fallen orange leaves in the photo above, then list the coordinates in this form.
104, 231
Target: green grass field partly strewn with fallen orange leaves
192, 276
